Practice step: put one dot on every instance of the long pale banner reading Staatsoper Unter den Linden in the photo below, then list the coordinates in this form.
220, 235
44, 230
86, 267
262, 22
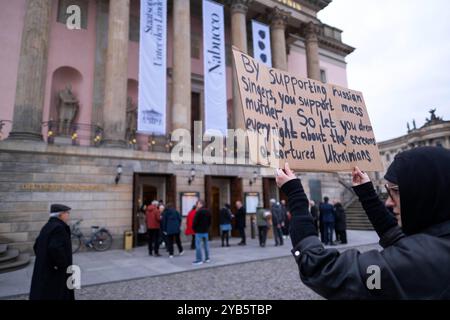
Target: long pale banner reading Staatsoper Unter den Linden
152, 67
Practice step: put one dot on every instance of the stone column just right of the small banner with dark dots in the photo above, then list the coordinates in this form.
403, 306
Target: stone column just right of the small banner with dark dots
279, 19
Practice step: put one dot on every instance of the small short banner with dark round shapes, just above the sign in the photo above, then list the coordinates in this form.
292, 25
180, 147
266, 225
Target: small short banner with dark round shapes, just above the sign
261, 43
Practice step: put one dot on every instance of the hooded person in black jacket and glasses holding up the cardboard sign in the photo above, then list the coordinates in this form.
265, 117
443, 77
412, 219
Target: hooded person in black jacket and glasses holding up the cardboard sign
413, 263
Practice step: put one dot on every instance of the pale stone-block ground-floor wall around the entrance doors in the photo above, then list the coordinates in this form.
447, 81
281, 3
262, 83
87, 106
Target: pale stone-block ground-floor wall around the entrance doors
35, 175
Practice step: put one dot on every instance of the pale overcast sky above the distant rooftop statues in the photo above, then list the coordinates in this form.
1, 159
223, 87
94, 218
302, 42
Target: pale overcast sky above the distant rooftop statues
402, 58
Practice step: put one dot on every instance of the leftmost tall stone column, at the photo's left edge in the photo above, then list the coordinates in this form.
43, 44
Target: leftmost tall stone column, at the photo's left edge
32, 72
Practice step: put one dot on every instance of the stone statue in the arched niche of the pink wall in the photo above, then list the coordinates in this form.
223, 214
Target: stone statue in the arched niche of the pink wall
68, 106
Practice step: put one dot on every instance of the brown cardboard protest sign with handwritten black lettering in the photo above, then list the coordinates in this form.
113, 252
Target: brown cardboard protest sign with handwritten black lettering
311, 125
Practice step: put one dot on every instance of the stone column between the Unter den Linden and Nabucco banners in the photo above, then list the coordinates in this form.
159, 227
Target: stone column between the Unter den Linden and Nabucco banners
181, 110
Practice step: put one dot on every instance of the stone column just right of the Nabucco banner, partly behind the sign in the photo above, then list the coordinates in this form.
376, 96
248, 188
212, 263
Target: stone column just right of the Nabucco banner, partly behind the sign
239, 10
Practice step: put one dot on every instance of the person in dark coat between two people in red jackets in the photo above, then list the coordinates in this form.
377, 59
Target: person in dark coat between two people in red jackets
171, 228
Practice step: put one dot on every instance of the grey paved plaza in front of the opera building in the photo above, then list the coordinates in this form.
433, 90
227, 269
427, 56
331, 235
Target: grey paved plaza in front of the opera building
235, 272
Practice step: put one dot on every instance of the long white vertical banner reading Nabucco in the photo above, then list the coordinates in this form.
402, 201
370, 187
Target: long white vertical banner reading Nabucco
214, 67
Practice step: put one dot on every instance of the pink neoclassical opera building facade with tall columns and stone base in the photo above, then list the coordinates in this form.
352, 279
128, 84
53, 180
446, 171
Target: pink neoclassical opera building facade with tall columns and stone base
69, 99
